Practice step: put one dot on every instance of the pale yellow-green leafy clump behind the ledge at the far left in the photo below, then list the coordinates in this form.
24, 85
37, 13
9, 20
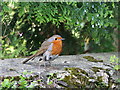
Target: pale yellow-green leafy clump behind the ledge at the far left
15, 47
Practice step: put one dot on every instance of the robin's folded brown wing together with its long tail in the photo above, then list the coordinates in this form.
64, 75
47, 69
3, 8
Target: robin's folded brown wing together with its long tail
43, 48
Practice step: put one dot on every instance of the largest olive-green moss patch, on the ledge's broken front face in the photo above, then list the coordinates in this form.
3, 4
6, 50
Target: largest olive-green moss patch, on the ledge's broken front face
77, 78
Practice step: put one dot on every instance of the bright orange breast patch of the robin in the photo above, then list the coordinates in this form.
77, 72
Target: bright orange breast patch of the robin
57, 47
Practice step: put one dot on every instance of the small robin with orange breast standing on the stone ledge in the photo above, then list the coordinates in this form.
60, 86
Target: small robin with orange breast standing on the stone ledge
50, 48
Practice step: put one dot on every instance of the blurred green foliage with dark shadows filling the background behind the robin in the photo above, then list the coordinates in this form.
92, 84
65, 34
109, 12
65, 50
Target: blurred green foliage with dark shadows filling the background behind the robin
86, 27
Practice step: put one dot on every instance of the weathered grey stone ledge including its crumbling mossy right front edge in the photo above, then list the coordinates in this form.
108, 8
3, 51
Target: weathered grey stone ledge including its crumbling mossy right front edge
102, 67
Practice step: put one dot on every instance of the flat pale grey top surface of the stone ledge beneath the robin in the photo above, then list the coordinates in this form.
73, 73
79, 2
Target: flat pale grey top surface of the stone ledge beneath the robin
14, 67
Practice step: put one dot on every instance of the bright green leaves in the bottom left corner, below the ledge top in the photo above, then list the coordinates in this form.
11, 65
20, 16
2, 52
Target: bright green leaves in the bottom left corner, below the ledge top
22, 83
